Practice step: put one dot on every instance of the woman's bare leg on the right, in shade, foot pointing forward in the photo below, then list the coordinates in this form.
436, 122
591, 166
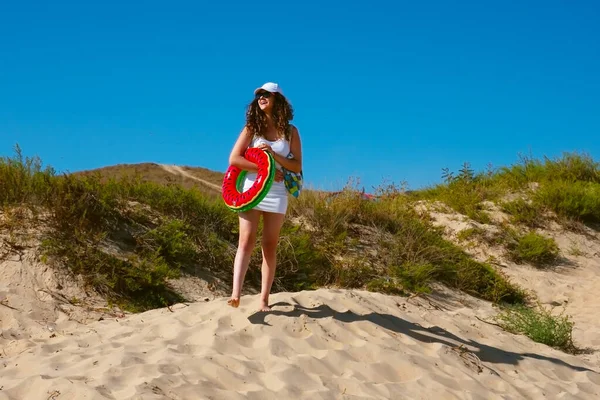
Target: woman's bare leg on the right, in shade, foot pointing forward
272, 223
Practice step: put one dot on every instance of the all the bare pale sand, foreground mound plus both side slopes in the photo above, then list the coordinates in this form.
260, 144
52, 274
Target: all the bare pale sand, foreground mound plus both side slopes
58, 342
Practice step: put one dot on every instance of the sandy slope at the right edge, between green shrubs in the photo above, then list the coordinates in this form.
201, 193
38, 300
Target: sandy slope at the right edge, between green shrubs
571, 286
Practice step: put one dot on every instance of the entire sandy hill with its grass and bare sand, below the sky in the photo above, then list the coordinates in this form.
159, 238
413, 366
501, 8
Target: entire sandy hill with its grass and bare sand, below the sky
84, 270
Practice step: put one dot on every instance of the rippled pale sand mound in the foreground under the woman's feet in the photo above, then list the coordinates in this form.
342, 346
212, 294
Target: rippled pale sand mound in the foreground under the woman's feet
326, 344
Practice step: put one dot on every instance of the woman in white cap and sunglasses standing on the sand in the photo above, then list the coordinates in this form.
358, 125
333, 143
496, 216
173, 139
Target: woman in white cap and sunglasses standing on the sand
267, 127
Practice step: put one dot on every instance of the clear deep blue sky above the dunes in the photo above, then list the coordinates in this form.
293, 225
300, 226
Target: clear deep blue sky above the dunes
382, 90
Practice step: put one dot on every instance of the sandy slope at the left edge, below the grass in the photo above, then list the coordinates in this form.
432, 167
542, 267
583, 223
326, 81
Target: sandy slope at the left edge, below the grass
37, 300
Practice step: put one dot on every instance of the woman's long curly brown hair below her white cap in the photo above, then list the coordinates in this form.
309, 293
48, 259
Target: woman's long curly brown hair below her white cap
283, 113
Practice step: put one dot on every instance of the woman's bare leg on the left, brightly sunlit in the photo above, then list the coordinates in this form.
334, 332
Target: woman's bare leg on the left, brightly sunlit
248, 227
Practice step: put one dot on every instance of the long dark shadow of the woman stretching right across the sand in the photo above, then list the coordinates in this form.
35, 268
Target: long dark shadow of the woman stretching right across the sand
433, 334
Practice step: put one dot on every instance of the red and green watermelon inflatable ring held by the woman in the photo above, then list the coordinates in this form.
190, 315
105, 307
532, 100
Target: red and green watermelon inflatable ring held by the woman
232, 193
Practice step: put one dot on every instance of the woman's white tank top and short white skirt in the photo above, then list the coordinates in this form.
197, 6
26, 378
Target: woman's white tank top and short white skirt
276, 200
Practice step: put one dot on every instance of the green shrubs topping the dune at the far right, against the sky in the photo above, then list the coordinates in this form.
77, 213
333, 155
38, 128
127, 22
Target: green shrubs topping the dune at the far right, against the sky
569, 185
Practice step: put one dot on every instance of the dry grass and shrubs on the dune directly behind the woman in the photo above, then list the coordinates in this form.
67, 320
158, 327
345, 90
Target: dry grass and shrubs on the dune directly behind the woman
163, 226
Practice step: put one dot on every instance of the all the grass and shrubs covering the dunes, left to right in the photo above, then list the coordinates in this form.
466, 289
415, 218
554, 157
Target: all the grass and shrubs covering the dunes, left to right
128, 229
